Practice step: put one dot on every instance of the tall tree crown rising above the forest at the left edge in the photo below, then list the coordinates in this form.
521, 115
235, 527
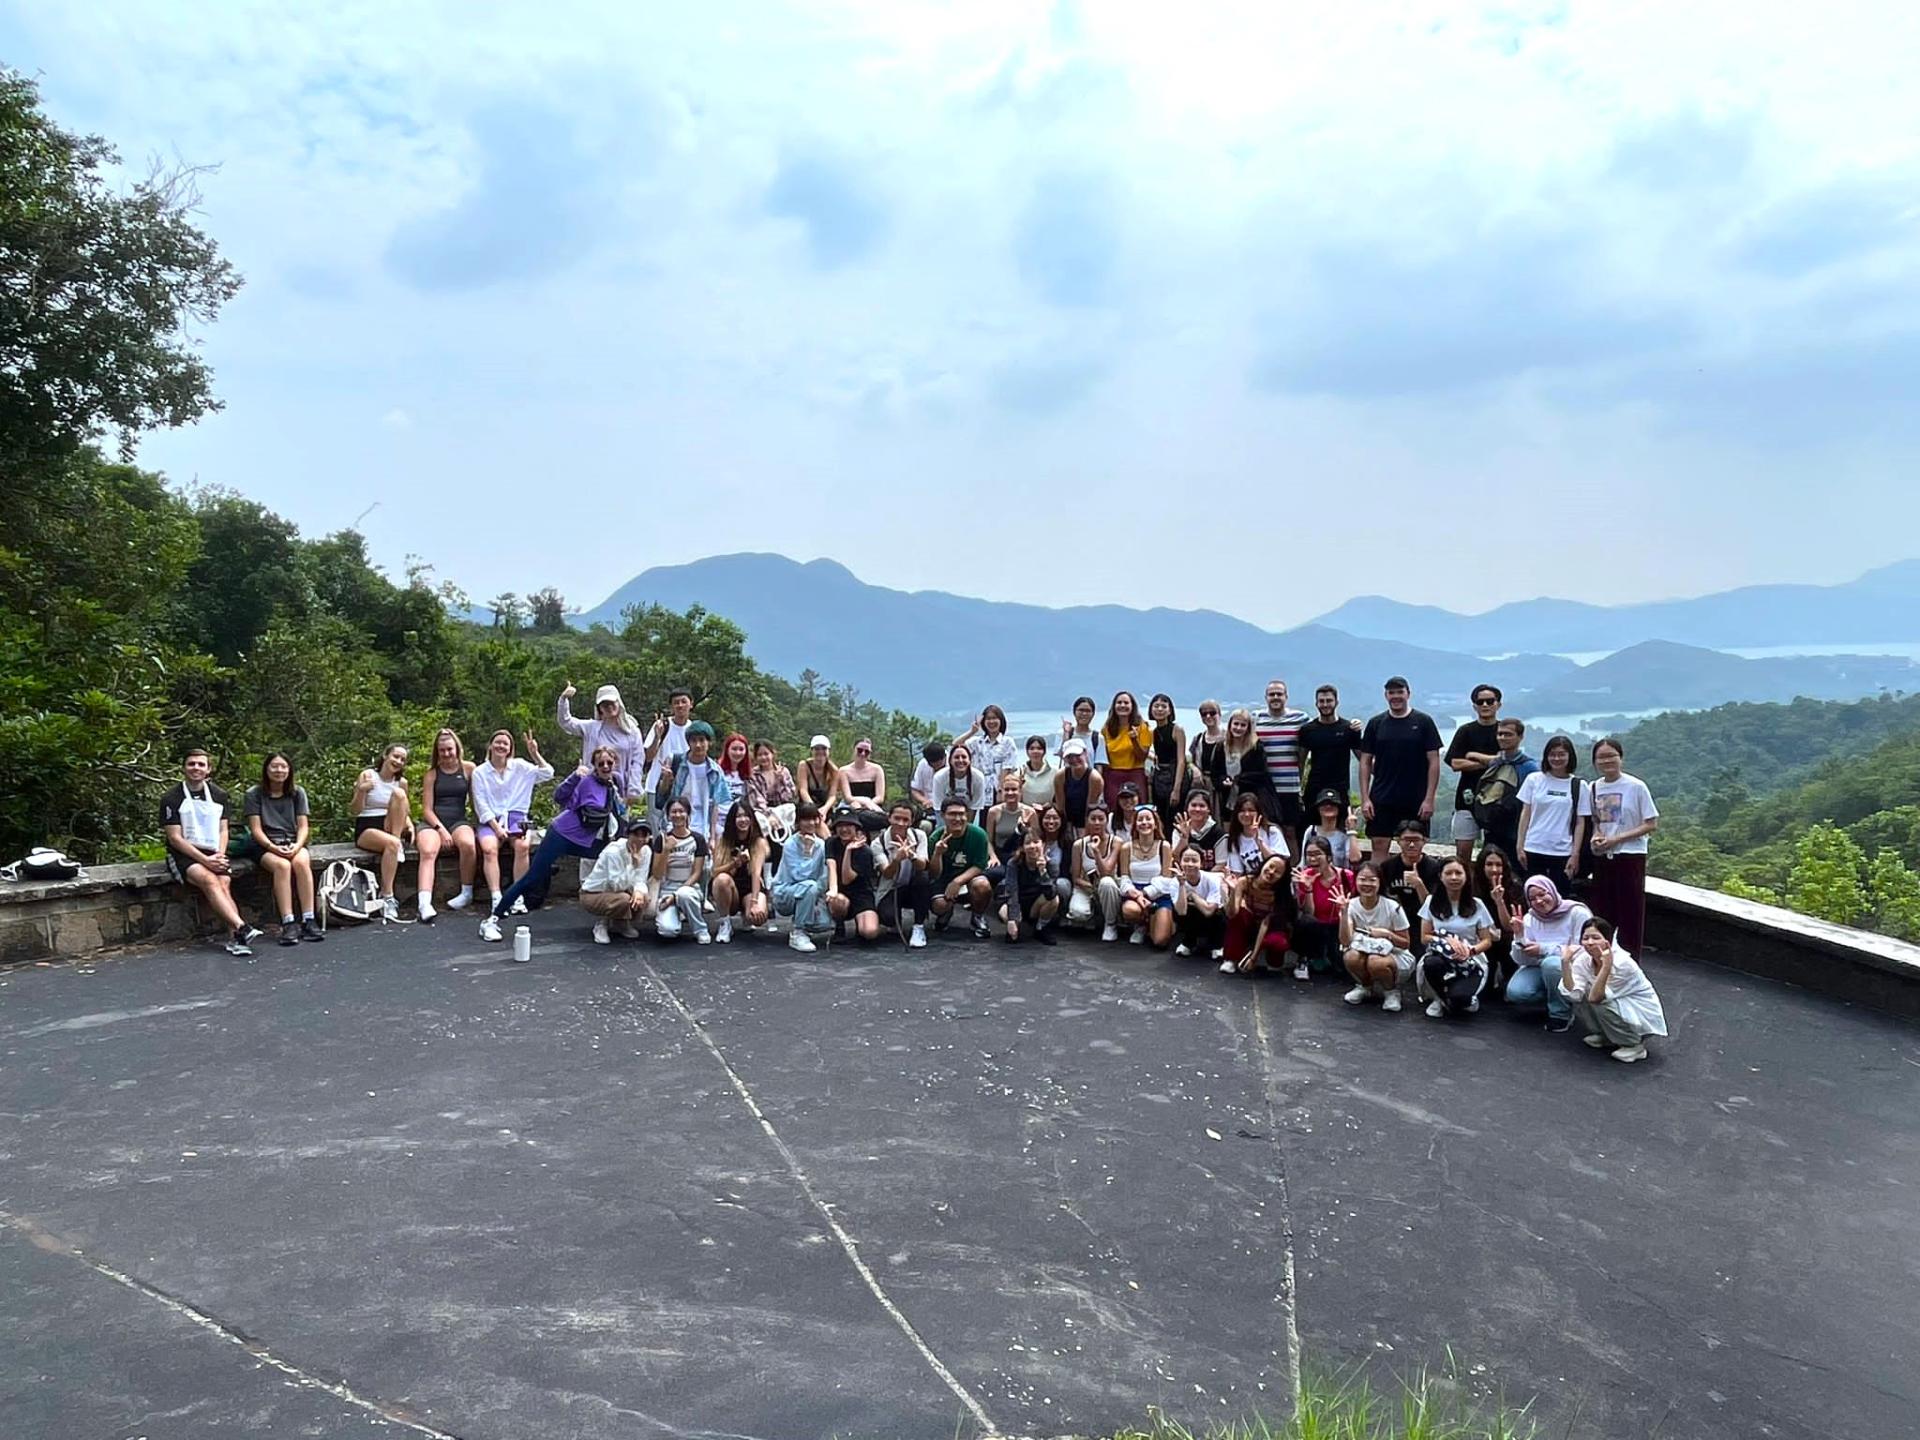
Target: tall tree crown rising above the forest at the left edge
97, 291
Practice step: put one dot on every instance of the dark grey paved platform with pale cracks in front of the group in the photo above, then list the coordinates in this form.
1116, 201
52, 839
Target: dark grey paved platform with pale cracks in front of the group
400, 1186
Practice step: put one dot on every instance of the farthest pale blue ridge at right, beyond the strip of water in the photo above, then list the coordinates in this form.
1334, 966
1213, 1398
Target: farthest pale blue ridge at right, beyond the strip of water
1881, 608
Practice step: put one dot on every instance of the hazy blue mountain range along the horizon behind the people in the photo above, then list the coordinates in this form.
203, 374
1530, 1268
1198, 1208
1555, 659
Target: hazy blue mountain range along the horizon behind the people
932, 652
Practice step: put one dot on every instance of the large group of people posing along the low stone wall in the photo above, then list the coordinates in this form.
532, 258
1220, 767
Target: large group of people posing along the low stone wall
1247, 846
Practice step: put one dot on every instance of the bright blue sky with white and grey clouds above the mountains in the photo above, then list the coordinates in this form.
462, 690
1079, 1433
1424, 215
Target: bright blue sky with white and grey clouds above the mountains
1449, 302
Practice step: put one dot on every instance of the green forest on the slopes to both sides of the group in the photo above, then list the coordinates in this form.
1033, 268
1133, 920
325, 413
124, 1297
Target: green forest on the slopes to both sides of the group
139, 619
